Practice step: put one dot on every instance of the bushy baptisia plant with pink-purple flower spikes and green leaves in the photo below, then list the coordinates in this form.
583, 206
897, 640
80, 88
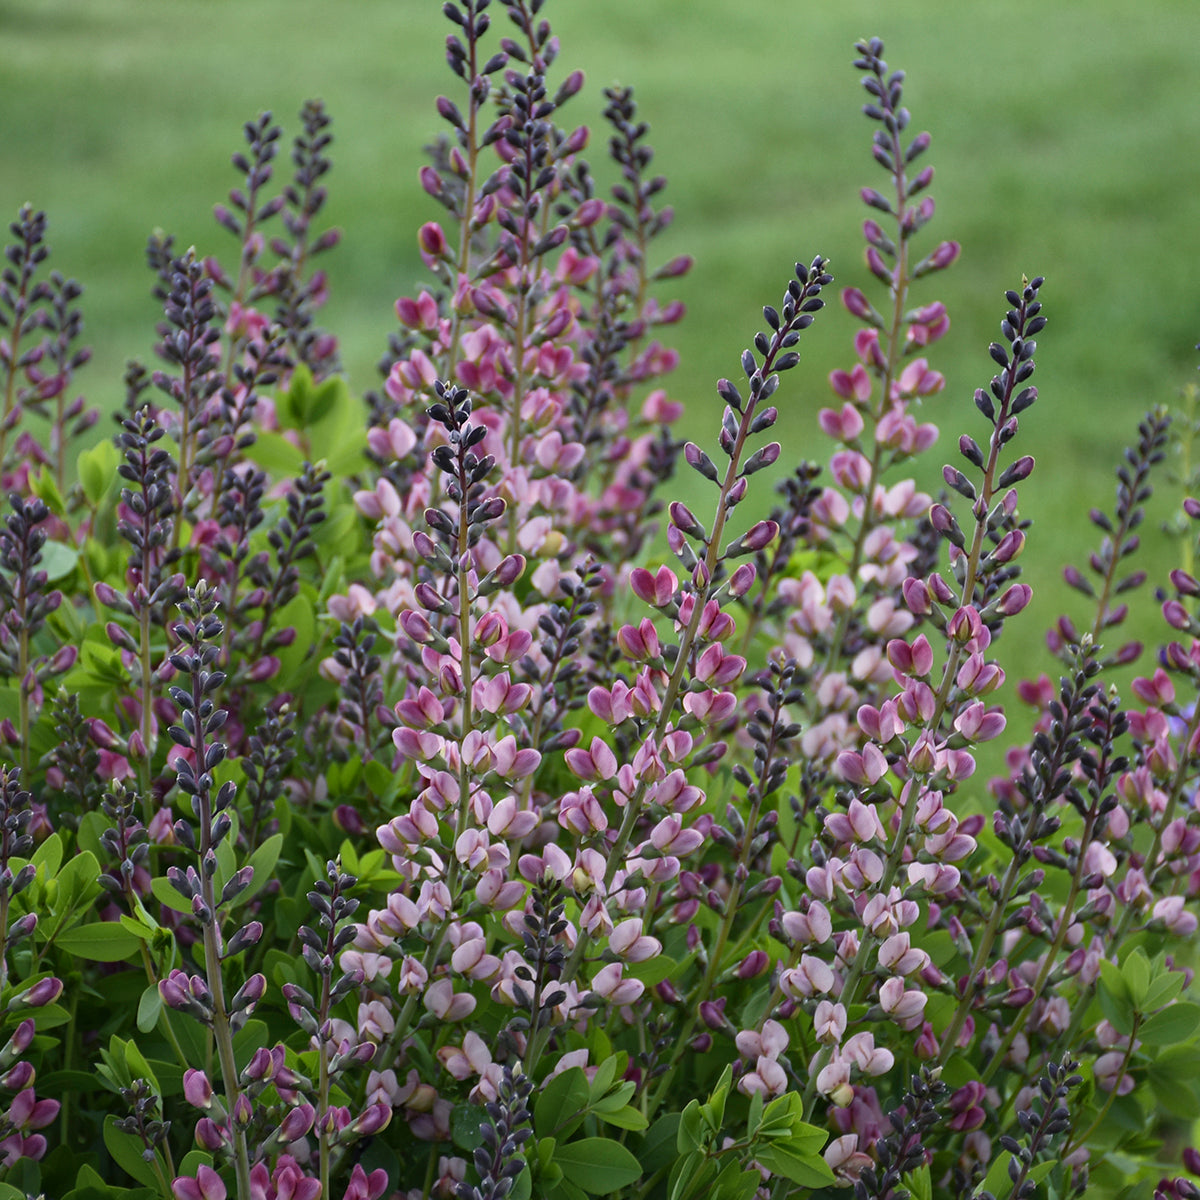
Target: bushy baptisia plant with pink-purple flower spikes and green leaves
454, 794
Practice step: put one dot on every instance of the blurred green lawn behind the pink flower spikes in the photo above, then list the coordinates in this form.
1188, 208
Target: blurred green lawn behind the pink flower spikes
1065, 142
